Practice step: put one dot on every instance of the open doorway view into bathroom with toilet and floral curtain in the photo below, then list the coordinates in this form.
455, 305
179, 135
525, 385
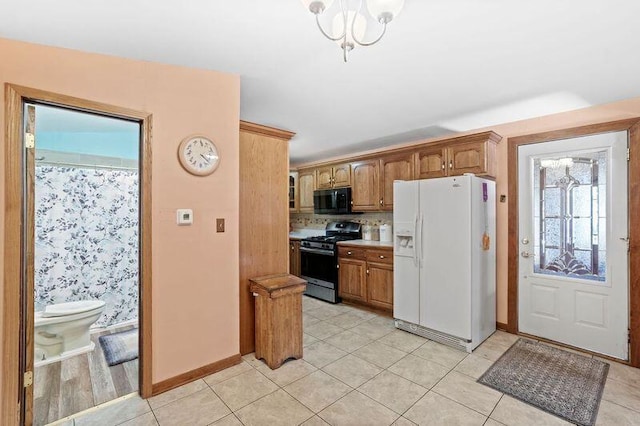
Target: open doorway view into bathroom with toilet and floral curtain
85, 190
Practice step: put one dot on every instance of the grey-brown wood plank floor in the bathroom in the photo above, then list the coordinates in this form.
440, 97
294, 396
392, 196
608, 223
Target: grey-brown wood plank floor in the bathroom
84, 381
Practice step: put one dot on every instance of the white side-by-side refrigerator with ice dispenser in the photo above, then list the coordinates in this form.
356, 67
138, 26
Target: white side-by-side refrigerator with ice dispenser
444, 260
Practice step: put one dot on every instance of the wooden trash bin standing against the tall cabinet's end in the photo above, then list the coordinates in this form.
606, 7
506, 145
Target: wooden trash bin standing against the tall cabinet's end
278, 302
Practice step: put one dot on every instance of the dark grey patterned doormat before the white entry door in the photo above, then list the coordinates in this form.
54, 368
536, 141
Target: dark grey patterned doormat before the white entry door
562, 383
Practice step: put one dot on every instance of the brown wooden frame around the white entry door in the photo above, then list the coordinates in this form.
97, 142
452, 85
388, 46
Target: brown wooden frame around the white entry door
631, 125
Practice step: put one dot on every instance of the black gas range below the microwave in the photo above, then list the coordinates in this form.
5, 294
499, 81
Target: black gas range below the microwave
319, 259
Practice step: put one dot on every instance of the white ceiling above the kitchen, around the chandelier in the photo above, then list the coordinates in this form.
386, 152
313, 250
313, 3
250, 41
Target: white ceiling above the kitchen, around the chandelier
444, 66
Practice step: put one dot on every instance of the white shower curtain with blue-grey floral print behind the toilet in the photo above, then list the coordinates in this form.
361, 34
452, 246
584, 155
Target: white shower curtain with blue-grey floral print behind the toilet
86, 238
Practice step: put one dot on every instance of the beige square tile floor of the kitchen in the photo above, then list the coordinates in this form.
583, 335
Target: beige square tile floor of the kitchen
359, 370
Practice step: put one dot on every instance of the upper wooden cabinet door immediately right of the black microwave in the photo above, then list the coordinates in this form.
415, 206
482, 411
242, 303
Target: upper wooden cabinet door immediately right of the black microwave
365, 191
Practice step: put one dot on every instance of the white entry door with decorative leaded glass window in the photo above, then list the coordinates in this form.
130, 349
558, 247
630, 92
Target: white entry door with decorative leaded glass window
573, 267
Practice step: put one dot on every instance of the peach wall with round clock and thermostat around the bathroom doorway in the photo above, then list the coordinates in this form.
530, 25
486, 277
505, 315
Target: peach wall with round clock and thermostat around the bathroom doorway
195, 269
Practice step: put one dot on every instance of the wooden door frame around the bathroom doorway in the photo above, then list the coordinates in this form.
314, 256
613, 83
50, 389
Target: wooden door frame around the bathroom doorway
15, 96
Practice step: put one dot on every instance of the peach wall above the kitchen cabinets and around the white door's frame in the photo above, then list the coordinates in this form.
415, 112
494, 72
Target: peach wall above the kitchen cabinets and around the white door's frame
629, 108
